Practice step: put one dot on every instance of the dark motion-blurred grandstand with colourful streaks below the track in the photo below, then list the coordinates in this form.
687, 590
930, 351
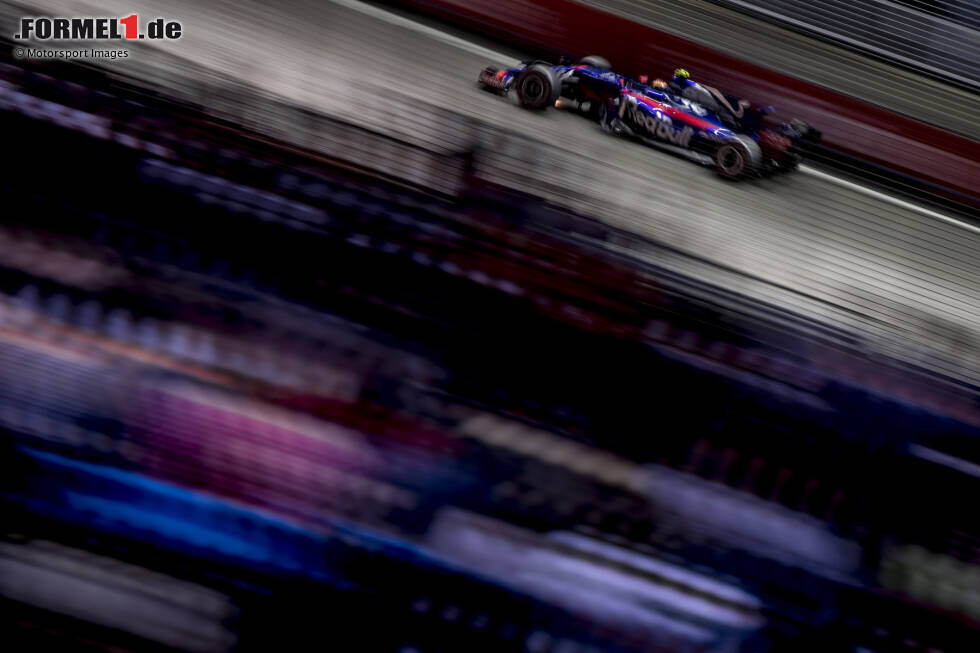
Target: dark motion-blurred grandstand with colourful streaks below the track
274, 377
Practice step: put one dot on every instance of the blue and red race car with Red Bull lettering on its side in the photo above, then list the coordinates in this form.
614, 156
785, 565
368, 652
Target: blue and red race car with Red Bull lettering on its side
697, 121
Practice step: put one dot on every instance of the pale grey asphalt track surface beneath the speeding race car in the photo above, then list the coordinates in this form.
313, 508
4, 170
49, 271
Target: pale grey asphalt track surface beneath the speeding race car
906, 279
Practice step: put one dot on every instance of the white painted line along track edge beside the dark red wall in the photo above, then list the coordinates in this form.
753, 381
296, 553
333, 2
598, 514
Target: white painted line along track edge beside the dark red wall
499, 57
